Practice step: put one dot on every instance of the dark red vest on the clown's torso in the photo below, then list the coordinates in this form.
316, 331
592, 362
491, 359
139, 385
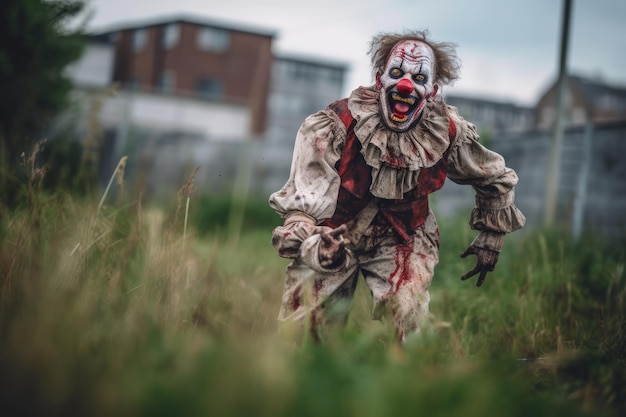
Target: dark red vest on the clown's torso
404, 215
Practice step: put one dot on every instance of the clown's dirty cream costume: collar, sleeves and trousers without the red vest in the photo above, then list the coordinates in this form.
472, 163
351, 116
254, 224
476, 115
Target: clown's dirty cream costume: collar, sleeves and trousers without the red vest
398, 273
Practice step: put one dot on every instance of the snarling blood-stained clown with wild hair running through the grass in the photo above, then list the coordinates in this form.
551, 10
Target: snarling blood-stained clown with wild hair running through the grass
356, 201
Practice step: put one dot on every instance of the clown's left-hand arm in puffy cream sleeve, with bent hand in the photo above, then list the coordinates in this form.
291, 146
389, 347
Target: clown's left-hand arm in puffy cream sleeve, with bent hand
310, 195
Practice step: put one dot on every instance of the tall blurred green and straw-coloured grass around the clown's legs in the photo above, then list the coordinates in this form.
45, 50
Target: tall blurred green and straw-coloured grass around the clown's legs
119, 309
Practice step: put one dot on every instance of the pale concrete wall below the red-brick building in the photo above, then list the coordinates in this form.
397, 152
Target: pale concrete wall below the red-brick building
162, 136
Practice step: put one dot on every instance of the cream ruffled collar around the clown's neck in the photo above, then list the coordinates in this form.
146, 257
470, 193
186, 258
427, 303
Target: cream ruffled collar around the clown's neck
396, 158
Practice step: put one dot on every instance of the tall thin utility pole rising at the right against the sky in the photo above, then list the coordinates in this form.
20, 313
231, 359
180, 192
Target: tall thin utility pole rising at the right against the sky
553, 168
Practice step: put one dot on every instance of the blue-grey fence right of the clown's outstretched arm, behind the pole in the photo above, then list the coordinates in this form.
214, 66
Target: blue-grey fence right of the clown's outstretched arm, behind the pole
592, 189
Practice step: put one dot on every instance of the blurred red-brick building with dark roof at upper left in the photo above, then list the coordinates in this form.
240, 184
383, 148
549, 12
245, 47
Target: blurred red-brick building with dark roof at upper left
198, 58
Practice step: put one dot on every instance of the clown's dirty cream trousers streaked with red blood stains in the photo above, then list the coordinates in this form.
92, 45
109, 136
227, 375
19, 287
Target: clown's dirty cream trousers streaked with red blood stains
398, 274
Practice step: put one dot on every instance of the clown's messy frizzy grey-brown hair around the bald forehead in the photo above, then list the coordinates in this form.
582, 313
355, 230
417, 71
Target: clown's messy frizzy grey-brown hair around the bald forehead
447, 63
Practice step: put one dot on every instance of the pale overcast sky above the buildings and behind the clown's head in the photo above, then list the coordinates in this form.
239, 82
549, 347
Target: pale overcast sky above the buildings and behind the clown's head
509, 48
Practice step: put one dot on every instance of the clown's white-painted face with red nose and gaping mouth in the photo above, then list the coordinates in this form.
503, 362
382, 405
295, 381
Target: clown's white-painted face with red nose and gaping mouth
406, 84
